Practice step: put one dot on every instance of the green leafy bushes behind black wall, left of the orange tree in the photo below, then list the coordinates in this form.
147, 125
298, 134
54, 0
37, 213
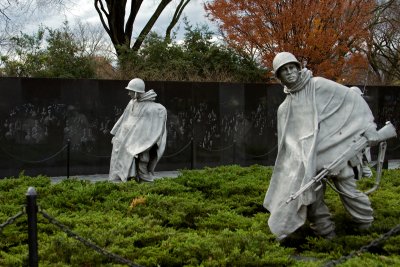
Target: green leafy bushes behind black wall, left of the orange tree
63, 53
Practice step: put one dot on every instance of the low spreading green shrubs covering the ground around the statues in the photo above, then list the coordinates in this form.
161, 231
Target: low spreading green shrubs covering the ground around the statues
208, 217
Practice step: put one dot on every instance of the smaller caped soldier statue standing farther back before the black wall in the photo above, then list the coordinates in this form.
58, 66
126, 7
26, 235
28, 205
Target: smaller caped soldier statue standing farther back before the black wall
139, 136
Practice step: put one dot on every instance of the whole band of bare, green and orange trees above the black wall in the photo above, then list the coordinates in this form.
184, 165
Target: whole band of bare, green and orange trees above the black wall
352, 41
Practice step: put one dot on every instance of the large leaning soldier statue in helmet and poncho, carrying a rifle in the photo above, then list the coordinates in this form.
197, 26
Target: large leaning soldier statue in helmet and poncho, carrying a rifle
317, 121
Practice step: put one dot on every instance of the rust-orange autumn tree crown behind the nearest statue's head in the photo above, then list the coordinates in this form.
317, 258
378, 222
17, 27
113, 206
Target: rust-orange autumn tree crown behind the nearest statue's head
326, 35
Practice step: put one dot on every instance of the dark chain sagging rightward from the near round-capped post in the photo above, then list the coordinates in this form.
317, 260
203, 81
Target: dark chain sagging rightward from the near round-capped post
86, 242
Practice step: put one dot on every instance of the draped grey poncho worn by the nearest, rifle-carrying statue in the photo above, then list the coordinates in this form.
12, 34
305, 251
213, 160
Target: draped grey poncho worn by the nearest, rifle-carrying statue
316, 122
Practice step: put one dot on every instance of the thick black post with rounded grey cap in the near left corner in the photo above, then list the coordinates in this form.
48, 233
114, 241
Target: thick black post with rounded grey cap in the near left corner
31, 210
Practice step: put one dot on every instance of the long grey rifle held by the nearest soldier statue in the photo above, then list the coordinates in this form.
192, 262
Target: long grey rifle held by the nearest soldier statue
386, 132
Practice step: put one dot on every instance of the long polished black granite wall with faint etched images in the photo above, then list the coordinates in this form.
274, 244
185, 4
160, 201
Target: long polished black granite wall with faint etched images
209, 124
